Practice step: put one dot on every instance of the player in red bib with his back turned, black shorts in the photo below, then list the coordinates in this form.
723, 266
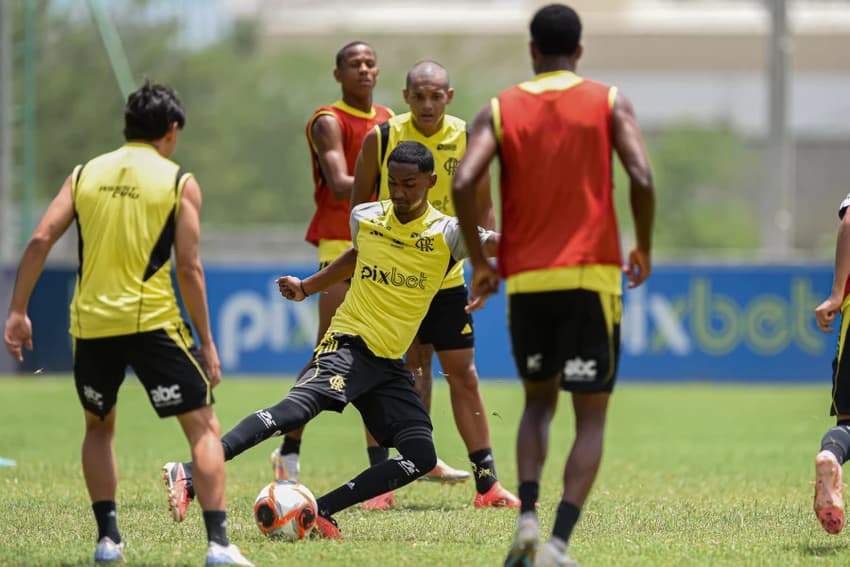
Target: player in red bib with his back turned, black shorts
560, 255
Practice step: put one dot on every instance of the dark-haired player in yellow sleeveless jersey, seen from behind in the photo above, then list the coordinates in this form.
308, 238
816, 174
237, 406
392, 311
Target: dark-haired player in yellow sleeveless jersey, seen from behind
132, 206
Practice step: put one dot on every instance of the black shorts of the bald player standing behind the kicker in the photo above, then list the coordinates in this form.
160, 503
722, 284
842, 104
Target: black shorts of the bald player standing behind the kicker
447, 325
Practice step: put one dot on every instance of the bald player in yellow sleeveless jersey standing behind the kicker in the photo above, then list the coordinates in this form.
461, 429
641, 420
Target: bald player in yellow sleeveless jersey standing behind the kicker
447, 328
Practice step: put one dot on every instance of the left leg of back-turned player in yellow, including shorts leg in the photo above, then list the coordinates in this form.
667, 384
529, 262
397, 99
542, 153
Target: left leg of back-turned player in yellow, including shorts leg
98, 373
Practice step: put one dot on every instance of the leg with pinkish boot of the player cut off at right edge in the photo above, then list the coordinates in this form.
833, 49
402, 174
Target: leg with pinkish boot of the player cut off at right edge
835, 444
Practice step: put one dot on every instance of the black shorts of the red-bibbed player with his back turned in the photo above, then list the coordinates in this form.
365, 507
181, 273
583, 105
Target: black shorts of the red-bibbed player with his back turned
571, 333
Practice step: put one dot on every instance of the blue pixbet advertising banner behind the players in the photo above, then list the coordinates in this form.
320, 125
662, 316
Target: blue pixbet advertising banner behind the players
708, 322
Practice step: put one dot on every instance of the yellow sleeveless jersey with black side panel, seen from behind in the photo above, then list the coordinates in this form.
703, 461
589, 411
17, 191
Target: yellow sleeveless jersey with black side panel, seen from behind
126, 205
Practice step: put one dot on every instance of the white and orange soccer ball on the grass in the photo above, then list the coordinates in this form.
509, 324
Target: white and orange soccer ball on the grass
285, 509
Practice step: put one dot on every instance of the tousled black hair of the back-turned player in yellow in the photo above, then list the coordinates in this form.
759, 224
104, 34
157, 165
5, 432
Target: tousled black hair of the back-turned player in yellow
150, 111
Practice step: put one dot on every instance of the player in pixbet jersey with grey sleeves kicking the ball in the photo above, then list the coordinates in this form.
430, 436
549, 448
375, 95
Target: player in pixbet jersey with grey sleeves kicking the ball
401, 248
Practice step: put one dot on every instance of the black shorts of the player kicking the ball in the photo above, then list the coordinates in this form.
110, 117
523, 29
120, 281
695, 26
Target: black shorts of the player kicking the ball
346, 371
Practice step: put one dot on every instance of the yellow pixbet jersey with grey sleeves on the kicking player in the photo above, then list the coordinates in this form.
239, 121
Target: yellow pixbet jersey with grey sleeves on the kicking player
400, 267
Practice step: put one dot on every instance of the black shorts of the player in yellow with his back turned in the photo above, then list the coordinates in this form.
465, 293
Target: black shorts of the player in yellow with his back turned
166, 362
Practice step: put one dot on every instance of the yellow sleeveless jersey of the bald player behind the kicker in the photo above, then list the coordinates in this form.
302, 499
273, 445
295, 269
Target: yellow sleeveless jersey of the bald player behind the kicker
448, 146
